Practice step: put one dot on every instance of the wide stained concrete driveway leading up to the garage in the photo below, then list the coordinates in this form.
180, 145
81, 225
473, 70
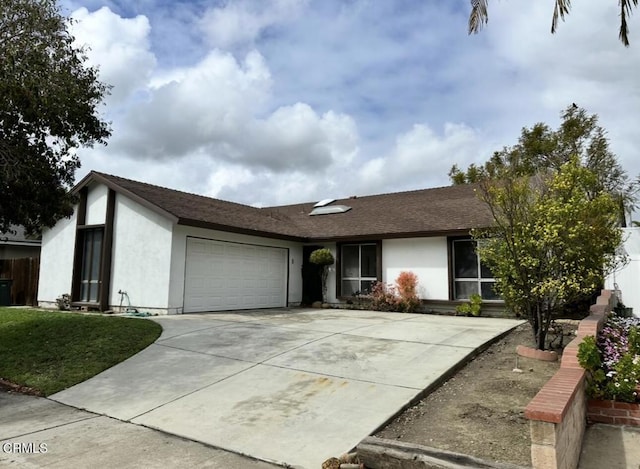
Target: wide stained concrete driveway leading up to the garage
287, 386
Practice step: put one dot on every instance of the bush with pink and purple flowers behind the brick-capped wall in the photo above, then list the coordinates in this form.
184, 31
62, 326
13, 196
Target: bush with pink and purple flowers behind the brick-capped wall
613, 360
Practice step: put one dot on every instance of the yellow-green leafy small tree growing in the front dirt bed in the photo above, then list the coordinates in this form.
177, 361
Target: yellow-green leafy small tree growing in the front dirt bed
552, 241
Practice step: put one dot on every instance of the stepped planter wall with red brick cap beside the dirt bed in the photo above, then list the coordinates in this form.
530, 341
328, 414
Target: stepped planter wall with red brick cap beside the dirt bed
558, 413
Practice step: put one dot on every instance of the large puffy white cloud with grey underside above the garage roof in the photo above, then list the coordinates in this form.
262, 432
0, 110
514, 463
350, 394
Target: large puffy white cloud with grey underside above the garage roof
218, 107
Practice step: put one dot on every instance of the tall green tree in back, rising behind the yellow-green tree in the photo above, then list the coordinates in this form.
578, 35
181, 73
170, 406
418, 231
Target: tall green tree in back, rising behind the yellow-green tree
541, 148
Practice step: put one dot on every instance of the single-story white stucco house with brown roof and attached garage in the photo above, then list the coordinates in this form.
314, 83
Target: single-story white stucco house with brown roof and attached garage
164, 251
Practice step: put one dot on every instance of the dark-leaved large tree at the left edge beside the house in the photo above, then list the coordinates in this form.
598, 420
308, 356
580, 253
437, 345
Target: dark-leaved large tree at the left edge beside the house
49, 102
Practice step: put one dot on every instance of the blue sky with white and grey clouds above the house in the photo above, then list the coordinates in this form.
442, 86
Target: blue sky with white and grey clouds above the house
270, 102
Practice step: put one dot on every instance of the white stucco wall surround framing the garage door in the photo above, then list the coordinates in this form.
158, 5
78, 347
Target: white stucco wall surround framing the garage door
178, 254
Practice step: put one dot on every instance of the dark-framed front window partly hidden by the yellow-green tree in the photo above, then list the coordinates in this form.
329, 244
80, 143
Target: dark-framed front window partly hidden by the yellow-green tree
470, 275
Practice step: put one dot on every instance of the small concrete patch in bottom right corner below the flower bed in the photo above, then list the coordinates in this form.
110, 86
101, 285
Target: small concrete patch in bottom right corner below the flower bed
610, 447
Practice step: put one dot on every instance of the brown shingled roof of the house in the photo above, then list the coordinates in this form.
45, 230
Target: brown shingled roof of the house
427, 212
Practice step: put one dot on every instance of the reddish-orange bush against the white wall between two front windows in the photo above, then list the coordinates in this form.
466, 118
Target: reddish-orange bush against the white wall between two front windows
399, 297
